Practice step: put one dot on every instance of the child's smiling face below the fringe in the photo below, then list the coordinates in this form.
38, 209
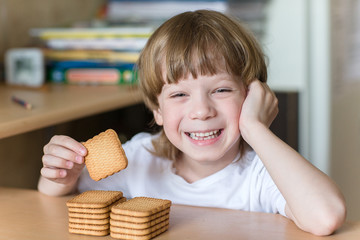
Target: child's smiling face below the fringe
201, 116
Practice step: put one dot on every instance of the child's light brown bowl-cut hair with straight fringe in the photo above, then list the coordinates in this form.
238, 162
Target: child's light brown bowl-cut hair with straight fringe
195, 43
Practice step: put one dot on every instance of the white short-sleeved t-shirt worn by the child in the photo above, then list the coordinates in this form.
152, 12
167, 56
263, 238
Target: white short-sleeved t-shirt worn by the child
244, 184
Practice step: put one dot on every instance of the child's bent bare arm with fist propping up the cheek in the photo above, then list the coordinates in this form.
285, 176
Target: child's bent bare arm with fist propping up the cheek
314, 202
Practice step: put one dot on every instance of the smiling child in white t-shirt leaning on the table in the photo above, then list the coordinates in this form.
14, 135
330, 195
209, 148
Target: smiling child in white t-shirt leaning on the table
198, 74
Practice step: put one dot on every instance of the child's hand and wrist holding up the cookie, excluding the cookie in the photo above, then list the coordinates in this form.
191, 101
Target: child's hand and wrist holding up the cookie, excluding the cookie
63, 161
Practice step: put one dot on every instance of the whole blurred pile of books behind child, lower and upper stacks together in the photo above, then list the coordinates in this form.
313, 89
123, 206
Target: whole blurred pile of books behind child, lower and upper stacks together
107, 55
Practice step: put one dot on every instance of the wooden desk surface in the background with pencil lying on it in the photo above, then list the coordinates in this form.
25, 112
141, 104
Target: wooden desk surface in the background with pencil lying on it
53, 104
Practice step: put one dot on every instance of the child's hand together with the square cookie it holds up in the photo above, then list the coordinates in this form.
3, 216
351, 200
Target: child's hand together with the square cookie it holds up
64, 158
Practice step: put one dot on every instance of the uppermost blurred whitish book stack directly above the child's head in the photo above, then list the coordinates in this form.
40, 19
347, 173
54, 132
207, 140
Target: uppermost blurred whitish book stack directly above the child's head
252, 12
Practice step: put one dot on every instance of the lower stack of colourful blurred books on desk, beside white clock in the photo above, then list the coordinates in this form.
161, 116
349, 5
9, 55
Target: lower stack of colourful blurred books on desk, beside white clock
92, 55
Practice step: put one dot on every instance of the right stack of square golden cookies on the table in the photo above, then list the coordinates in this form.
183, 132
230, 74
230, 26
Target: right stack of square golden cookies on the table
139, 218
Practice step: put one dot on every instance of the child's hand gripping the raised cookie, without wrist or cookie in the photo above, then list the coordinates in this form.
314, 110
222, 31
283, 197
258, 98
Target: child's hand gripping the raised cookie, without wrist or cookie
63, 160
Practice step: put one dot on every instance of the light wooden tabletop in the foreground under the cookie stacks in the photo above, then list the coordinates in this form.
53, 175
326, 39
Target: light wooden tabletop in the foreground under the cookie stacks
28, 214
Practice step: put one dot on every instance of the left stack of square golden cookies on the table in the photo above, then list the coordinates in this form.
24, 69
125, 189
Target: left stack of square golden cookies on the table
89, 212
